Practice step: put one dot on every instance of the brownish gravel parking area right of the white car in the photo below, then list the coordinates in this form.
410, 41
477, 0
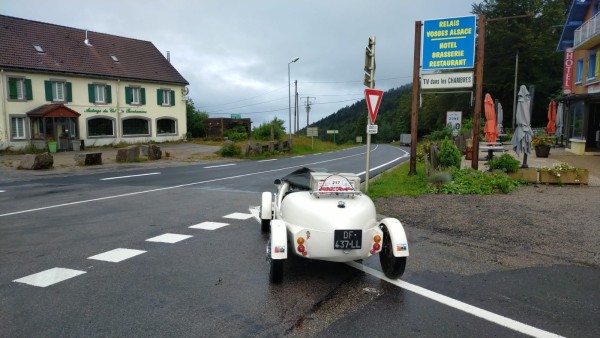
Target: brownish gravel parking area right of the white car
538, 225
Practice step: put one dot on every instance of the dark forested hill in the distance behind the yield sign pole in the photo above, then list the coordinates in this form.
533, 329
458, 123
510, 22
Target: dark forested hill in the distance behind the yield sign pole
393, 118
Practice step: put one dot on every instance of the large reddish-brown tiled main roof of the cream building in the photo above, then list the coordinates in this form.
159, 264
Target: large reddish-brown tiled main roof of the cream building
66, 52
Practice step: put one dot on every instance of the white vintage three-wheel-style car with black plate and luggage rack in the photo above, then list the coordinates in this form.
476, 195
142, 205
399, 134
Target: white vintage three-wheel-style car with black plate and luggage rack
324, 216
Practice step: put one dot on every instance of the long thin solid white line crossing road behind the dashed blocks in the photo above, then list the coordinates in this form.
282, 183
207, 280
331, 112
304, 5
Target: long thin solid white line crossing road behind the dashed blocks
175, 186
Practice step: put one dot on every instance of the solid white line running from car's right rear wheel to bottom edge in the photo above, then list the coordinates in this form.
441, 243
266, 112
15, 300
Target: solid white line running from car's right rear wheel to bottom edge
484, 314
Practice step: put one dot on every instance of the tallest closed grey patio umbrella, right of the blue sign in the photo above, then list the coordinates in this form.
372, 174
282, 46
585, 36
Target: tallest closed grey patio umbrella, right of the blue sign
521, 140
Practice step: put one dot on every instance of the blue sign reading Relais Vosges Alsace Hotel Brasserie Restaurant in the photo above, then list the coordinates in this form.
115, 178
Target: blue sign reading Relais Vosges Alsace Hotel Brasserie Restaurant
449, 43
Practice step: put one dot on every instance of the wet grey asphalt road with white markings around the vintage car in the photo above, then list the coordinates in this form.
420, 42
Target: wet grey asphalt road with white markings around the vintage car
176, 252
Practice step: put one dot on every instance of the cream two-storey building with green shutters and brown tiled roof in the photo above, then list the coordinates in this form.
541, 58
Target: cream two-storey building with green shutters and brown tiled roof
64, 84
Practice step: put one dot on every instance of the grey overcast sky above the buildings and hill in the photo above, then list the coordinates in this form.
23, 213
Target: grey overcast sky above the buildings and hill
235, 53
